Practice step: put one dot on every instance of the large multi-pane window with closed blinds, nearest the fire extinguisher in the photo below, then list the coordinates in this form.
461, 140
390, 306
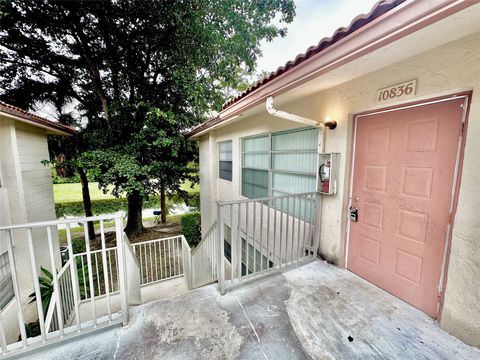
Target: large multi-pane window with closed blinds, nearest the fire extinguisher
280, 163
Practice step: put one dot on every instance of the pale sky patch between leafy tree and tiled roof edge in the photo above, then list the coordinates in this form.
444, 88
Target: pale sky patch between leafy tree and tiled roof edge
314, 20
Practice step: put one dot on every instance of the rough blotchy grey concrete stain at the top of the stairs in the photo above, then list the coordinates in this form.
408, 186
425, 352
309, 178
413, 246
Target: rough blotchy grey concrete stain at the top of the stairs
191, 326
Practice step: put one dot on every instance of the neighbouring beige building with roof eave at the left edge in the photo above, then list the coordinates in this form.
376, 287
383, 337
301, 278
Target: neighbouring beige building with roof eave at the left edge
26, 195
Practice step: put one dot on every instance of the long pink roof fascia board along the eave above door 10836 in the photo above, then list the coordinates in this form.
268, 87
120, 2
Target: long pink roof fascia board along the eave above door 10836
401, 21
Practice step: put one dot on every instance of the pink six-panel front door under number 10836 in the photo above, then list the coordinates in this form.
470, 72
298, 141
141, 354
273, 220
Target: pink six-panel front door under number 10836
402, 187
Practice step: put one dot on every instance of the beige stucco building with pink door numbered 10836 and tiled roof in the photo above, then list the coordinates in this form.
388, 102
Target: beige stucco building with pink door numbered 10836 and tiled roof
398, 175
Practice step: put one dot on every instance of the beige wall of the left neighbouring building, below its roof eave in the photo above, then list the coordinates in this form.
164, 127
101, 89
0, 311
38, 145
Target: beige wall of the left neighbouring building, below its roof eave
27, 196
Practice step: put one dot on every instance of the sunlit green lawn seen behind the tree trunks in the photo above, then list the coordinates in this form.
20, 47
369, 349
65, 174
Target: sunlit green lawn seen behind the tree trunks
73, 192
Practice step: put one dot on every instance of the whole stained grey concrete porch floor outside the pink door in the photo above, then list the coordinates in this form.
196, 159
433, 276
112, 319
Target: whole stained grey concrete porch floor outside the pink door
312, 311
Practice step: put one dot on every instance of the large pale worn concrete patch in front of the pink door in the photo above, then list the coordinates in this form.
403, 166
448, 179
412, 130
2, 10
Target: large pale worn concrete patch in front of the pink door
338, 315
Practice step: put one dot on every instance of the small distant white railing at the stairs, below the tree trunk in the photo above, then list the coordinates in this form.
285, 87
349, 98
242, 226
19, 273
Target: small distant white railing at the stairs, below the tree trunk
159, 259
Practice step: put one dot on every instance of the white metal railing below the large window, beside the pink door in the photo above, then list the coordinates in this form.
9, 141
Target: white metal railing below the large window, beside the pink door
263, 234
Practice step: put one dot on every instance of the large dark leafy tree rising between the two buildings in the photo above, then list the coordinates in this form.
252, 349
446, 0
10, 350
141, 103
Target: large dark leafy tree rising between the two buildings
131, 68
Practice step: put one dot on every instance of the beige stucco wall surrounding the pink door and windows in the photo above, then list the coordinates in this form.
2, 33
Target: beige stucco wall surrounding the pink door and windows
449, 69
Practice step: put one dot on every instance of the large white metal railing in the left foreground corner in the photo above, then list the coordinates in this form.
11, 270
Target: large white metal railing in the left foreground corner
99, 273
